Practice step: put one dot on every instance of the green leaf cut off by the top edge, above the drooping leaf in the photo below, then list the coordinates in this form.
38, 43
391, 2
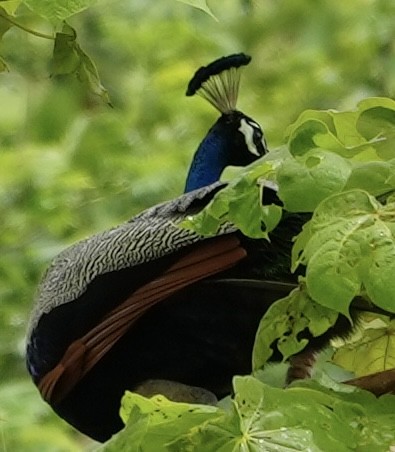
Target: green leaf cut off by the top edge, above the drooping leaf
58, 10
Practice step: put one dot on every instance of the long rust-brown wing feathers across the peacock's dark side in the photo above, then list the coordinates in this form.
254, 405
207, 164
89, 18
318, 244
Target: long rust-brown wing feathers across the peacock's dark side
80, 357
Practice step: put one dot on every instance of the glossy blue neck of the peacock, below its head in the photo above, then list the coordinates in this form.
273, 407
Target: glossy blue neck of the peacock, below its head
209, 161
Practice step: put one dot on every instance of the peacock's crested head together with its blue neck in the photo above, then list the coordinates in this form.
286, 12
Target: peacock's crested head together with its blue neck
235, 139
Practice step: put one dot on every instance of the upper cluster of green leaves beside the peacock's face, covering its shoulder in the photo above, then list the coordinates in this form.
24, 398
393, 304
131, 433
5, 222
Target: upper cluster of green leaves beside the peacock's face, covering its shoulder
328, 152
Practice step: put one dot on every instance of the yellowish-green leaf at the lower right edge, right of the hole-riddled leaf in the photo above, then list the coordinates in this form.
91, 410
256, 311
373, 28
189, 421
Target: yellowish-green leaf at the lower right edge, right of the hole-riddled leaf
371, 349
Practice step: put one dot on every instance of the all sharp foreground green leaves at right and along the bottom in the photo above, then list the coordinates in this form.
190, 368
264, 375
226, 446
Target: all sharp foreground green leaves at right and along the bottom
334, 165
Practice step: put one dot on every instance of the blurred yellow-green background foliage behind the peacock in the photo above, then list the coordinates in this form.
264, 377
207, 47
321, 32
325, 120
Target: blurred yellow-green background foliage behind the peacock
71, 166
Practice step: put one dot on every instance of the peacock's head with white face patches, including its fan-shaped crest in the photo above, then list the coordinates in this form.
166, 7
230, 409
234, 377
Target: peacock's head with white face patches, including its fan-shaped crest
218, 83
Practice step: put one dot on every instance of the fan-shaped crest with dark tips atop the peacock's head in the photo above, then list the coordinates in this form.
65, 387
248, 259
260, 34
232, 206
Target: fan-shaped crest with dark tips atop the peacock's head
219, 81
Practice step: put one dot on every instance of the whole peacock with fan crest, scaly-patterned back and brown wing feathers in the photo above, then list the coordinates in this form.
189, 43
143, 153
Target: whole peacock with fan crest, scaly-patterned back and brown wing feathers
152, 307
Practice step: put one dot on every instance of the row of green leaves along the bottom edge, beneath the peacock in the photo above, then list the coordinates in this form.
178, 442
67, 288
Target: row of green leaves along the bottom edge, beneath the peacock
261, 418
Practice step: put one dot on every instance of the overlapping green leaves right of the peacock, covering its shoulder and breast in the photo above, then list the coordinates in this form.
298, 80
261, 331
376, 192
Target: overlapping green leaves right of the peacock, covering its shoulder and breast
337, 165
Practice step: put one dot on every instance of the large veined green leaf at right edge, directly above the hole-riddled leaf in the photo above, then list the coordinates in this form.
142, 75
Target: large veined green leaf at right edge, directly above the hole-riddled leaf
351, 246
